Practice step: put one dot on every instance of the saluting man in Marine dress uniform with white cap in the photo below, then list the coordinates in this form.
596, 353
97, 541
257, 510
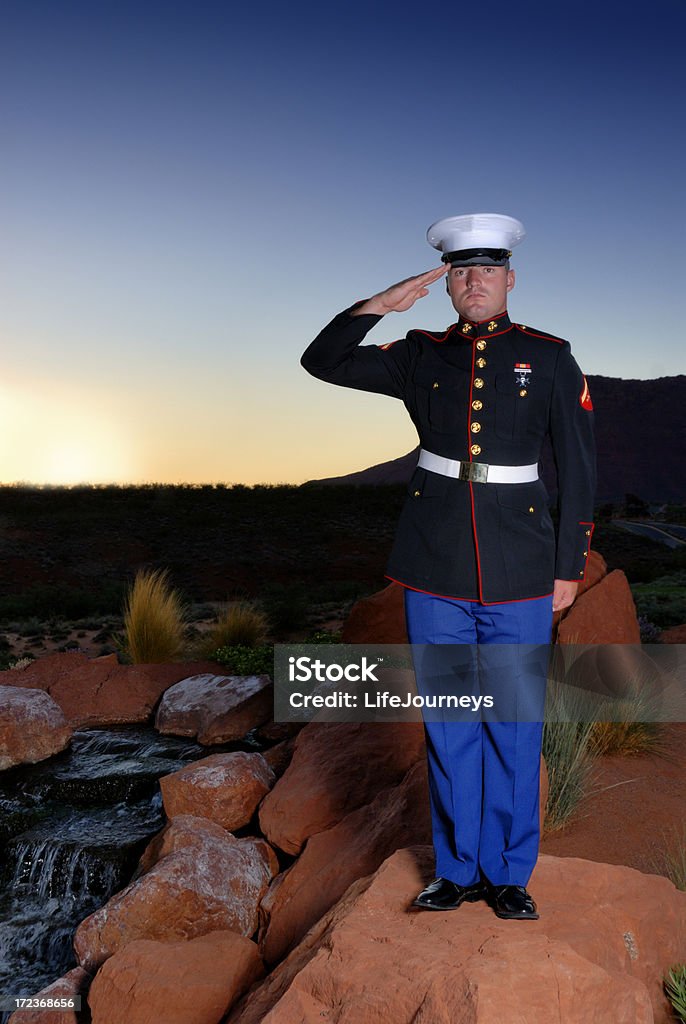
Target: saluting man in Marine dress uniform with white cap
476, 547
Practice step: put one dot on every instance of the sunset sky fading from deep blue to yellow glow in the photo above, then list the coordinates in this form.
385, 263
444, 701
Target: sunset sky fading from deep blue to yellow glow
190, 192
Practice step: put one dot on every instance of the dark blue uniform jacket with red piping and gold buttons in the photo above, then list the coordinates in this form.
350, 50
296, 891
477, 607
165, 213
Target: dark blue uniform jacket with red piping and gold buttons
485, 393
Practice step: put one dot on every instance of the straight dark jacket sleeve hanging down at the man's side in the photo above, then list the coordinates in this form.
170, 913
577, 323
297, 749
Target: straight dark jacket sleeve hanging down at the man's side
572, 431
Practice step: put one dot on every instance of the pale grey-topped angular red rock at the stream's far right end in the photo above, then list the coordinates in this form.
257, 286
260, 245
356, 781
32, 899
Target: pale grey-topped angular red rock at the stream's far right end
216, 709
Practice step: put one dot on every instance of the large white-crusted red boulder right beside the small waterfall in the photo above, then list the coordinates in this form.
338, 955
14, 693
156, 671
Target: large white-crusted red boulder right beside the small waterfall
209, 883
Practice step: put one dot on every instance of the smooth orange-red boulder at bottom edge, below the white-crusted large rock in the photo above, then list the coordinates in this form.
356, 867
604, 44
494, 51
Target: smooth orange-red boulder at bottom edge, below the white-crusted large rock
192, 983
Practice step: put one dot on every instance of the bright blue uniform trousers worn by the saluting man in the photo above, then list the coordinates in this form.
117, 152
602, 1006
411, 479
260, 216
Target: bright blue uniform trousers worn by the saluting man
485, 776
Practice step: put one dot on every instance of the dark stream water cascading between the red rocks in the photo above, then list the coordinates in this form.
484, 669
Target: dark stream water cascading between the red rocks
72, 830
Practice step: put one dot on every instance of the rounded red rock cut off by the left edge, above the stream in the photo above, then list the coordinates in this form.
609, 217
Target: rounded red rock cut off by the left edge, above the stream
32, 727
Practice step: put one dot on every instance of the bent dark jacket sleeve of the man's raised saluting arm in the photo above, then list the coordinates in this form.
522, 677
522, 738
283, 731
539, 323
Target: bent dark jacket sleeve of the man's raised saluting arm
337, 357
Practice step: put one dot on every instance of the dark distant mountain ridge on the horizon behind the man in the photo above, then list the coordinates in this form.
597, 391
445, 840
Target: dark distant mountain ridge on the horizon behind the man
640, 439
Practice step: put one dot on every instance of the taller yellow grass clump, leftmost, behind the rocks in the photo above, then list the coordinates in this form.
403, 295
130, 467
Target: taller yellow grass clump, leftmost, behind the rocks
154, 620
